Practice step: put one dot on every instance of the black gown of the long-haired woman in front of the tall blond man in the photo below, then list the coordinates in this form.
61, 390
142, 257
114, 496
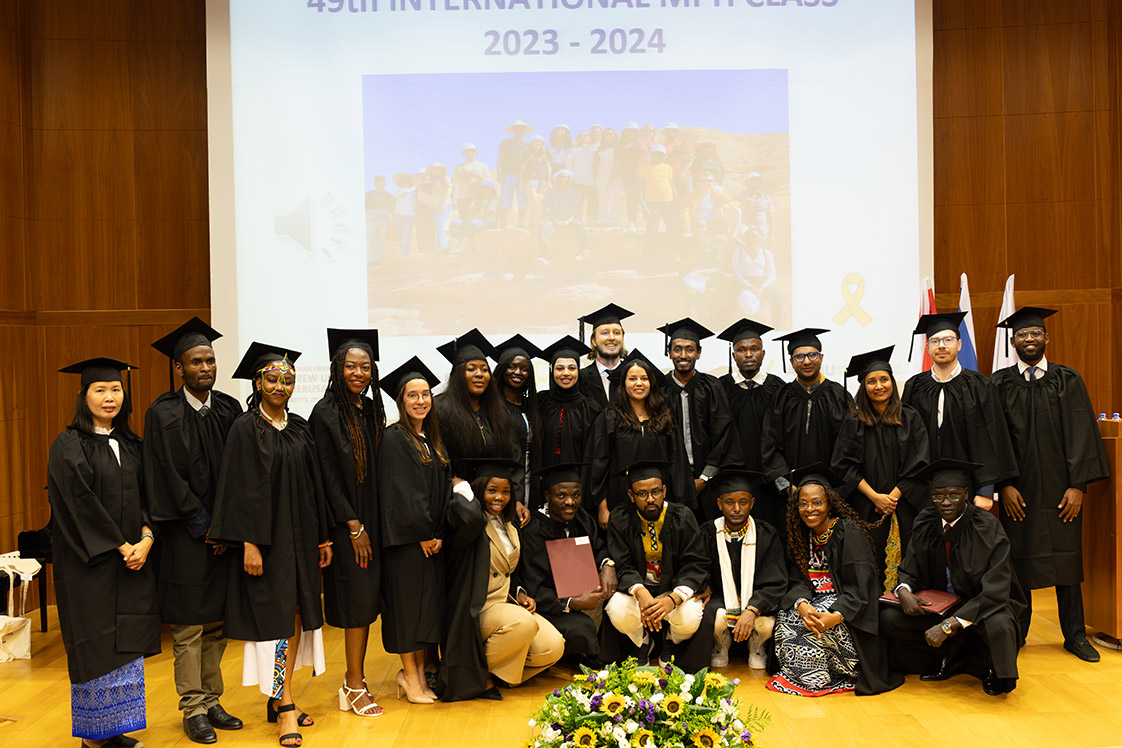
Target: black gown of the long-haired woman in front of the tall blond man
613, 449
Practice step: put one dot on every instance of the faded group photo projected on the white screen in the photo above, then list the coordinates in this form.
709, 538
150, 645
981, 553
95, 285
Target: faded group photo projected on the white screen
542, 196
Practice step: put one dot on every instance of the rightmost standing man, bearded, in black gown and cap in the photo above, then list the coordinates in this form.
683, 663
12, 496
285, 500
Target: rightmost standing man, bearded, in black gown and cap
1059, 453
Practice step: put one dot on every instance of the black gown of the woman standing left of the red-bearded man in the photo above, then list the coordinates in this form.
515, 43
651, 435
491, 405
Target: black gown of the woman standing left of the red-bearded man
886, 457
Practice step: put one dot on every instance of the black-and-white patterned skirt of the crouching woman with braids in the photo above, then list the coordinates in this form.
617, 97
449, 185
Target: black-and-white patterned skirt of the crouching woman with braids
811, 667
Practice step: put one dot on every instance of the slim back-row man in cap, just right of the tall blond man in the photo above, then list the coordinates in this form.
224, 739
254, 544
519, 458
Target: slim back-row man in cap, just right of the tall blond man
697, 402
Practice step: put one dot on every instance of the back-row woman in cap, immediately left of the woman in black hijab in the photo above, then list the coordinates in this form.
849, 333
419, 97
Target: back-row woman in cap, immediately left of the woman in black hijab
516, 376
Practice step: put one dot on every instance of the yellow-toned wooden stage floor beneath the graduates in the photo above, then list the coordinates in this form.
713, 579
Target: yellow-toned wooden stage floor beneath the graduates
1061, 701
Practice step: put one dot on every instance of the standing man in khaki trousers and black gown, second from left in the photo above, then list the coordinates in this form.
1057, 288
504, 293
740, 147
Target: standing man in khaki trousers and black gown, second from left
185, 437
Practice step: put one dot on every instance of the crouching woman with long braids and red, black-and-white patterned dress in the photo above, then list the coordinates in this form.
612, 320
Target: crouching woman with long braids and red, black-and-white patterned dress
826, 632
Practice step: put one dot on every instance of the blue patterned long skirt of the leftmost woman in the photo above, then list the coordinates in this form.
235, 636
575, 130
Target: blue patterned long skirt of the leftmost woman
112, 705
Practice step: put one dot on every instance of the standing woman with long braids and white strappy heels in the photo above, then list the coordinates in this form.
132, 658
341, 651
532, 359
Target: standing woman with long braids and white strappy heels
348, 428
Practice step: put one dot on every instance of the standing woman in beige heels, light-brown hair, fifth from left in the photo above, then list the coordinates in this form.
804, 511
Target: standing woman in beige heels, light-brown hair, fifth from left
415, 486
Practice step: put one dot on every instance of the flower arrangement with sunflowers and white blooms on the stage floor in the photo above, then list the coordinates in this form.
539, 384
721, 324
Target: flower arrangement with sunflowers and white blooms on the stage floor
630, 706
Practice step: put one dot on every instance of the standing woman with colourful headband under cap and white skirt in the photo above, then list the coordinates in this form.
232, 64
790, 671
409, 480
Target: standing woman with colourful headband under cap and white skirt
271, 506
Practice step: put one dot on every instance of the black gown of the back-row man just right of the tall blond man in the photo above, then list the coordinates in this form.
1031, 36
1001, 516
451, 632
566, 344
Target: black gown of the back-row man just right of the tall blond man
713, 440
